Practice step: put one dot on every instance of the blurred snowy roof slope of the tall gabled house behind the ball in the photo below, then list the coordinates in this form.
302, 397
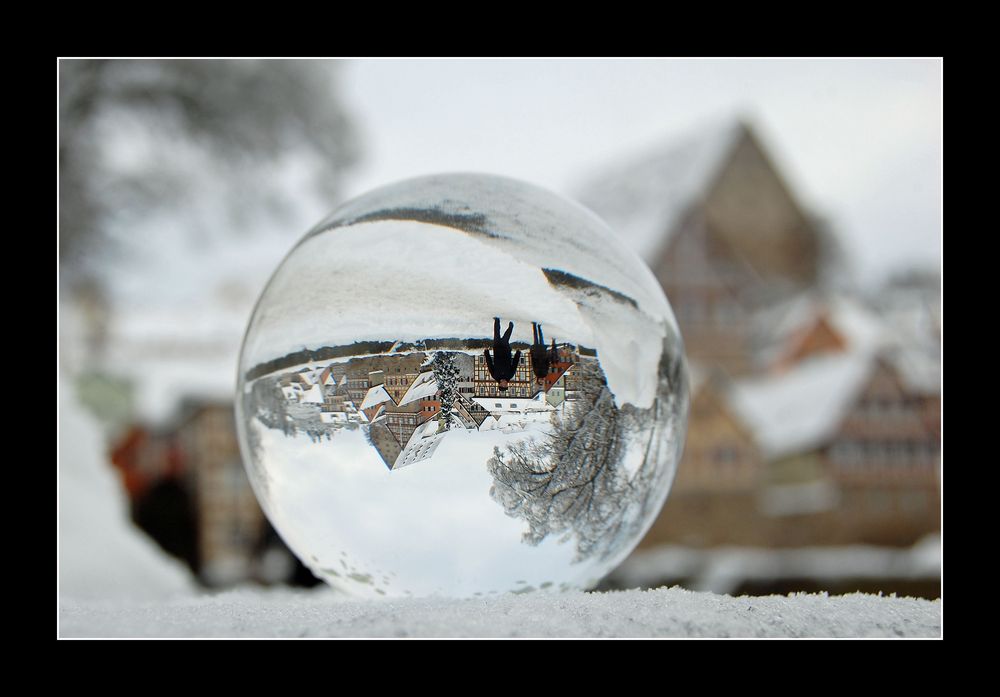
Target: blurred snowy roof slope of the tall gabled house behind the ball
643, 200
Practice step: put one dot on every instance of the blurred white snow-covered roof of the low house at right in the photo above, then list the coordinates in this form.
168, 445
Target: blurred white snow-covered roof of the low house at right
799, 409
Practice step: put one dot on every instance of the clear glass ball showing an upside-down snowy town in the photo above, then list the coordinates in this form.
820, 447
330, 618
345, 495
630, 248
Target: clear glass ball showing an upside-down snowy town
461, 385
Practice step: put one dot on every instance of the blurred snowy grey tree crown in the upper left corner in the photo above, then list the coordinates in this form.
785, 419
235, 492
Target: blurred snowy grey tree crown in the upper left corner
200, 146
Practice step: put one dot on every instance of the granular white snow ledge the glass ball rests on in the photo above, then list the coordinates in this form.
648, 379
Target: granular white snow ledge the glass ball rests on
665, 612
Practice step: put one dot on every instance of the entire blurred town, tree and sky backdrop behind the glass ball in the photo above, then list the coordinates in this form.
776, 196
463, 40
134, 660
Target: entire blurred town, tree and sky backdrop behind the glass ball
791, 210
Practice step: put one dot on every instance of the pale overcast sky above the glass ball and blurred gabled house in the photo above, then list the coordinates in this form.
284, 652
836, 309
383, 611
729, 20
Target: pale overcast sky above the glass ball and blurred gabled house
859, 140
